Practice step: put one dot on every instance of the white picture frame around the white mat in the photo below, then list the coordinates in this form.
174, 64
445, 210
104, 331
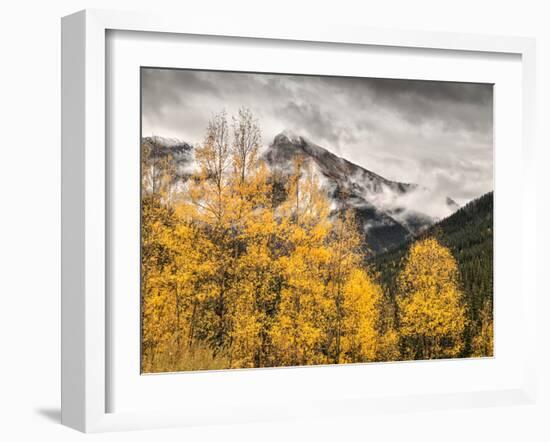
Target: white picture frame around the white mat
85, 202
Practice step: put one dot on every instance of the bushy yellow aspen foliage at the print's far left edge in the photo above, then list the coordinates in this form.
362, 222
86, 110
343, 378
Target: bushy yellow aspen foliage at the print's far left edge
171, 266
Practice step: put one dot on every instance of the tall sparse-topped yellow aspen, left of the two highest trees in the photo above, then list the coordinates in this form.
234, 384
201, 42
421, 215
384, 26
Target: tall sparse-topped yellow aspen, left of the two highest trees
211, 197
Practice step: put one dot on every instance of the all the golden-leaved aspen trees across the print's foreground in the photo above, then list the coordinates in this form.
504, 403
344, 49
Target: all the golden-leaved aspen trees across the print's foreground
247, 267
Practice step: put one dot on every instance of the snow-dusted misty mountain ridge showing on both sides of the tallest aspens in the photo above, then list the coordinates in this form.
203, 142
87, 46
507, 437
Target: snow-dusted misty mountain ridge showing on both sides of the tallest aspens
388, 212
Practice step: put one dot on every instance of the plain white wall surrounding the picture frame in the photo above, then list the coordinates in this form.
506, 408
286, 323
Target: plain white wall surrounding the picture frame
29, 213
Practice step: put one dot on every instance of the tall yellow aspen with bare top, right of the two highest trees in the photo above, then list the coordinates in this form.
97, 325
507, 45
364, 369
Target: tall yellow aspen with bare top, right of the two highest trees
255, 227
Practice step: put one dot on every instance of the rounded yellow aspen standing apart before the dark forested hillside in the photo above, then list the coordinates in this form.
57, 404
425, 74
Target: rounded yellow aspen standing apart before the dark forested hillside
432, 315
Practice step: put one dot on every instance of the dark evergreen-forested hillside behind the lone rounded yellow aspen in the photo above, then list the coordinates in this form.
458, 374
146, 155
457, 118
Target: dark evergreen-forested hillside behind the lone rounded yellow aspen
468, 233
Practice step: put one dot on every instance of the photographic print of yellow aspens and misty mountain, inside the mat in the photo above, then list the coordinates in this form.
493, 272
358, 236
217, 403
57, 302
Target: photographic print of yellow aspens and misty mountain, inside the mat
298, 220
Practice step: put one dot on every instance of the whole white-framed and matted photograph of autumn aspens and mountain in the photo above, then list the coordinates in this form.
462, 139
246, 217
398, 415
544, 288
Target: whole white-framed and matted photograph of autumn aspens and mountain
265, 223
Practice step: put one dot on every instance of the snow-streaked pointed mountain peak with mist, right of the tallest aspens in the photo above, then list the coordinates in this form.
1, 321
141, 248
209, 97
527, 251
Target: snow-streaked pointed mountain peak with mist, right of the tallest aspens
381, 206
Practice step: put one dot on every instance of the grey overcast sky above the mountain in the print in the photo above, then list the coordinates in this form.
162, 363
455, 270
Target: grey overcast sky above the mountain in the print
437, 134
